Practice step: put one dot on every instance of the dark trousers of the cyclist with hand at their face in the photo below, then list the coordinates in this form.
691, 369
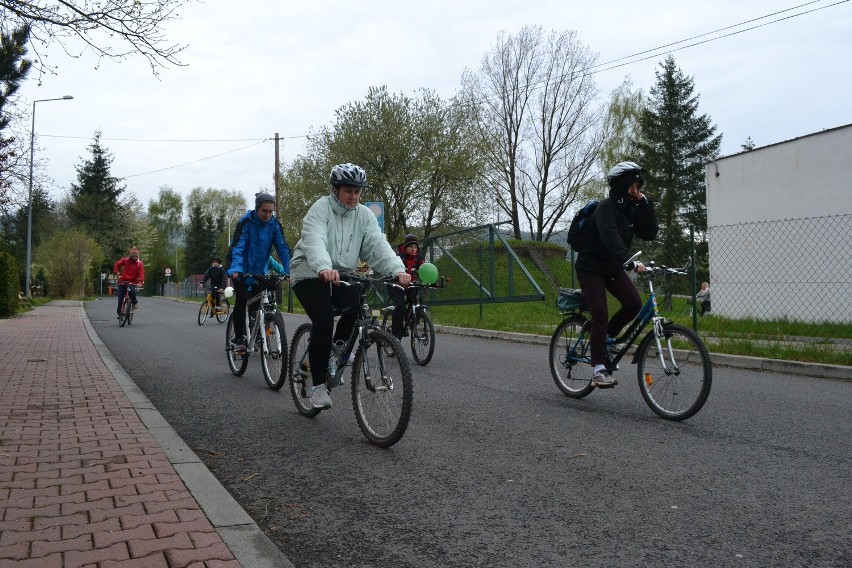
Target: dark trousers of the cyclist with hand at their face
594, 291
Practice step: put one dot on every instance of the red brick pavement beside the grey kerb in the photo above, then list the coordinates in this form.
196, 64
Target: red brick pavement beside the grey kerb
82, 481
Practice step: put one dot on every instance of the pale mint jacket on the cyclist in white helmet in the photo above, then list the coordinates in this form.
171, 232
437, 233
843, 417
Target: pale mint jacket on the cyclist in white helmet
334, 237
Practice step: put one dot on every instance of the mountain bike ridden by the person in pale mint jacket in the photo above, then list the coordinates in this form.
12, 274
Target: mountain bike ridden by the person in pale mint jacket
381, 385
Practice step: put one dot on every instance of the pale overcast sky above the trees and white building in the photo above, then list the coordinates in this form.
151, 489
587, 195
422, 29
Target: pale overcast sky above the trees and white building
282, 66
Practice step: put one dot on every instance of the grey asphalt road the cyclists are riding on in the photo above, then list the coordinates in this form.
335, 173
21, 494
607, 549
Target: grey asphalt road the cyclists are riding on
498, 468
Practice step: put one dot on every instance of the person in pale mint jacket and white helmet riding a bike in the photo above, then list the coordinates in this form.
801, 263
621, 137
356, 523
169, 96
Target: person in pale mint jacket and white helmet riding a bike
337, 233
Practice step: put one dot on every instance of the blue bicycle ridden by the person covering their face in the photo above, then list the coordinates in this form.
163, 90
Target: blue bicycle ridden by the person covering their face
672, 363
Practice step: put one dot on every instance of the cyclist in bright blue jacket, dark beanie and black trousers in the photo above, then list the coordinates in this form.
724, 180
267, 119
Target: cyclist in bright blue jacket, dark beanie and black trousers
251, 244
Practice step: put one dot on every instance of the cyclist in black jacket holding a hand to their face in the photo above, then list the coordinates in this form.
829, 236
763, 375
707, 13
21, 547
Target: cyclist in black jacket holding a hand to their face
600, 265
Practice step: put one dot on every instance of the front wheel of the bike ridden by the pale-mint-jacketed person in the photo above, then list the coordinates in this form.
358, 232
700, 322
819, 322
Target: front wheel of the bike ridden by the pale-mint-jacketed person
382, 389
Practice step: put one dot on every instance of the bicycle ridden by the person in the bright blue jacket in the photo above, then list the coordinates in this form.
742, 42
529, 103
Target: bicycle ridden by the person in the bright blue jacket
265, 331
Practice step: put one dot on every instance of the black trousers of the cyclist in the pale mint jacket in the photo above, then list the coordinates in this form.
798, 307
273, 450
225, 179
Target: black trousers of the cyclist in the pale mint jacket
319, 300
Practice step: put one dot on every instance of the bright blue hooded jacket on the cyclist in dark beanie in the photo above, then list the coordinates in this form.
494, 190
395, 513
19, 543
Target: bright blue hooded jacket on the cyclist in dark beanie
253, 241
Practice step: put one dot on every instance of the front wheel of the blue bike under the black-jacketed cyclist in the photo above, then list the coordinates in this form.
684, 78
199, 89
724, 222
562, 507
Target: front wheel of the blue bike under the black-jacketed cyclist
675, 378
